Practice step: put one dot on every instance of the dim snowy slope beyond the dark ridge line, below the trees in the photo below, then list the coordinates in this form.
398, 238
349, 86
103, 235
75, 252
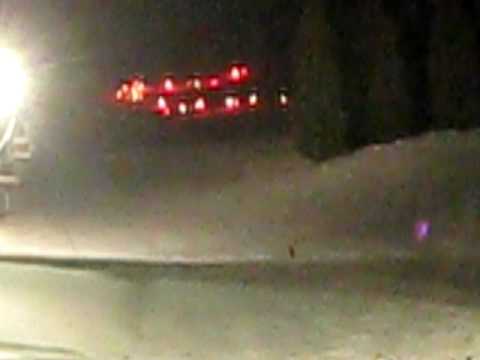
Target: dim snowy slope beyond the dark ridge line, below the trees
244, 199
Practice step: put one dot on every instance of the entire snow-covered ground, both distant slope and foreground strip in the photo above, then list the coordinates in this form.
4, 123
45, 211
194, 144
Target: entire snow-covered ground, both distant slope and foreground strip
311, 261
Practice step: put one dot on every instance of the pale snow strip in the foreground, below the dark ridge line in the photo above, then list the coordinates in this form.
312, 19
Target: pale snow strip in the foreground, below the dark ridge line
343, 311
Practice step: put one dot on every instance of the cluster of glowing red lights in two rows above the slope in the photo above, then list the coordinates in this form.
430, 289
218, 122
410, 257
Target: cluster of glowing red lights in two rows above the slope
193, 97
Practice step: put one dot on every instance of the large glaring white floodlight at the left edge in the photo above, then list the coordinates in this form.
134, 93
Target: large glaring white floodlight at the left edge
14, 80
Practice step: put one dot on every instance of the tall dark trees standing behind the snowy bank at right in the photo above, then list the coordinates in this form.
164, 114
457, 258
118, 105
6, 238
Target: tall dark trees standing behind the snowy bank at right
370, 72
